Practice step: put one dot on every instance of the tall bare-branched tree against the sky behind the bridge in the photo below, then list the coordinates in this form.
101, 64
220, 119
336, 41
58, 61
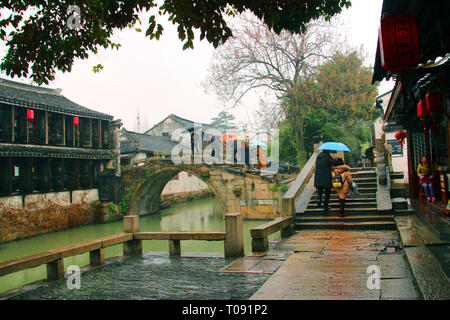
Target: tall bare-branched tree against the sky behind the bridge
257, 58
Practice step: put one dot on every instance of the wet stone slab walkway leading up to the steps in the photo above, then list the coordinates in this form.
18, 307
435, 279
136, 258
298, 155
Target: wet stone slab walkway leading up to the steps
333, 265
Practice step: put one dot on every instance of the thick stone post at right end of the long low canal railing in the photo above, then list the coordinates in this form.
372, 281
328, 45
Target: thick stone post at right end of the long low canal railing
234, 243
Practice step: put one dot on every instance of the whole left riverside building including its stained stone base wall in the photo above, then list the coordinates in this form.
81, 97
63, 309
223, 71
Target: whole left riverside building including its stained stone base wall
58, 161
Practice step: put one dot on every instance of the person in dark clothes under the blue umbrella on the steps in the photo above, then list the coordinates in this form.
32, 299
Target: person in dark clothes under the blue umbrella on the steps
322, 178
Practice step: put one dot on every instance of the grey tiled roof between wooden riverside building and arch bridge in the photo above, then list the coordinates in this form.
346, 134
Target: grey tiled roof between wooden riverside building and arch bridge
145, 143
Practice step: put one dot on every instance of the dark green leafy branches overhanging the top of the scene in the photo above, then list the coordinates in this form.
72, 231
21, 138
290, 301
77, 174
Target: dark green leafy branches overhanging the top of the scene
42, 40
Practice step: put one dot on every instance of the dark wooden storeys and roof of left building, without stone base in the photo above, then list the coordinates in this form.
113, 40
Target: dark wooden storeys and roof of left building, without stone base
49, 143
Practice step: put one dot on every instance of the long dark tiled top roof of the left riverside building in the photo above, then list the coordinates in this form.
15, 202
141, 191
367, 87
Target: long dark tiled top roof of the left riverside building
30, 96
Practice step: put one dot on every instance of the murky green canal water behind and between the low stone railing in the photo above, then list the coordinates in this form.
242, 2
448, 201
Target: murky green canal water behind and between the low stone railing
198, 215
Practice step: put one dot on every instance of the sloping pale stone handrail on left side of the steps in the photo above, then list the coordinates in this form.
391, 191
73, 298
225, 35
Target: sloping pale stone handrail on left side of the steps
294, 191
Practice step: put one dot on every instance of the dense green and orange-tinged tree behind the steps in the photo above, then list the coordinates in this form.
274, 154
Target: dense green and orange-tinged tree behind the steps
342, 99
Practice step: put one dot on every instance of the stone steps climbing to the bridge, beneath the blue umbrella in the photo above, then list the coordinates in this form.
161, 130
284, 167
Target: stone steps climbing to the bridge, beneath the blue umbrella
360, 211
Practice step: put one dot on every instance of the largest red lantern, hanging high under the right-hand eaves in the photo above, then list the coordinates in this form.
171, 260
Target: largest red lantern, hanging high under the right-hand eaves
399, 42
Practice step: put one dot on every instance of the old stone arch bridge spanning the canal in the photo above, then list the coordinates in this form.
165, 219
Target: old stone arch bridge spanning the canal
237, 189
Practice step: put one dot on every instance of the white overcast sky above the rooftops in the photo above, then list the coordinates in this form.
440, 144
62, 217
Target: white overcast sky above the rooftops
159, 78
